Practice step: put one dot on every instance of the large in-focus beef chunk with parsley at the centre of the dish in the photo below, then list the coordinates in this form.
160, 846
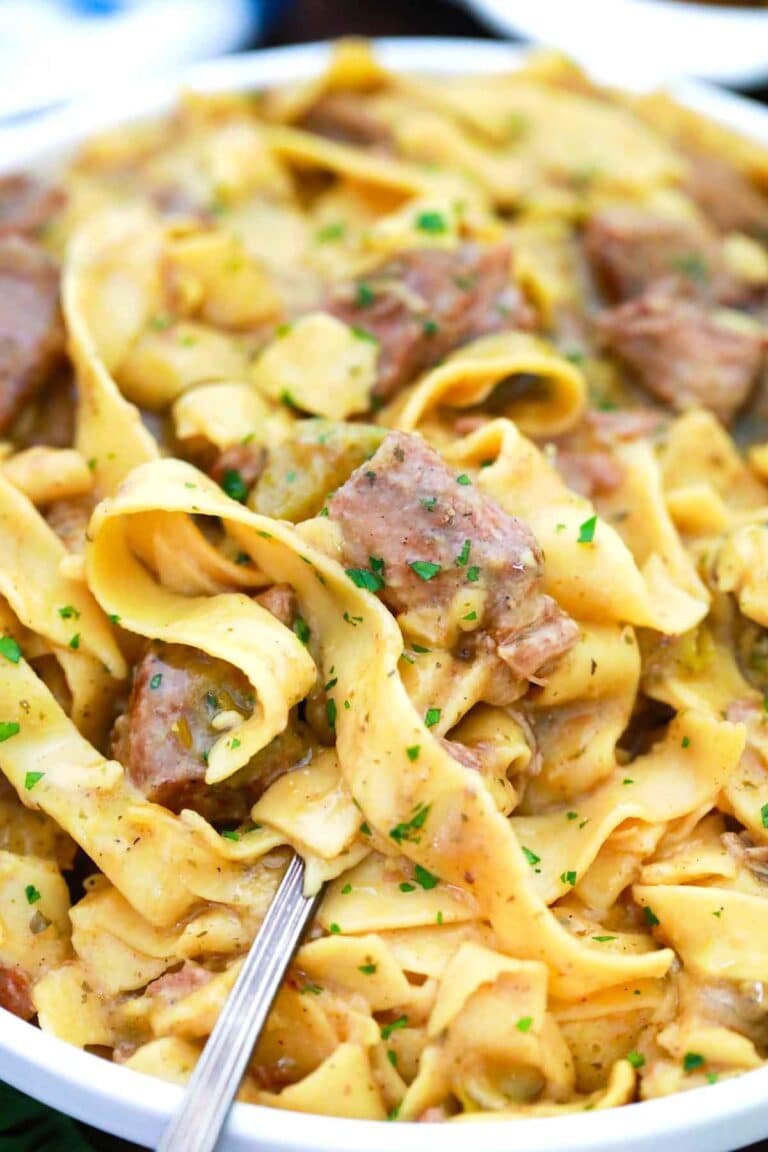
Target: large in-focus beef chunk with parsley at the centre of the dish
407, 510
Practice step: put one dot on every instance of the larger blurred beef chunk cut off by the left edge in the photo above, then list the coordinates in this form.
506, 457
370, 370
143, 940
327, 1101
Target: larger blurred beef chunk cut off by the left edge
32, 332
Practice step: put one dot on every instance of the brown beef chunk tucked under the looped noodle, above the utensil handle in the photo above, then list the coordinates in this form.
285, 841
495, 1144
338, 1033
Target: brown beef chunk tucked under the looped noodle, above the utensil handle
164, 738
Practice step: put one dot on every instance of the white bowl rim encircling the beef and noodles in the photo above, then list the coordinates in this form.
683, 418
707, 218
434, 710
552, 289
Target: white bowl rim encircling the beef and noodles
716, 1119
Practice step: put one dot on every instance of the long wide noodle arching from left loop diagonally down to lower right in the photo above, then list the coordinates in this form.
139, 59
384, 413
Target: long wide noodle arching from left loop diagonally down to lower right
385, 785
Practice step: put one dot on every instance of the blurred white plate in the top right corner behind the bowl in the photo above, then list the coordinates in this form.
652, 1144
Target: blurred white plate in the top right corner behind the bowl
643, 39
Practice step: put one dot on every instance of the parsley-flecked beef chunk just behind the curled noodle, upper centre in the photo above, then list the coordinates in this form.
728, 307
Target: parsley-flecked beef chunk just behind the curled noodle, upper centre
423, 305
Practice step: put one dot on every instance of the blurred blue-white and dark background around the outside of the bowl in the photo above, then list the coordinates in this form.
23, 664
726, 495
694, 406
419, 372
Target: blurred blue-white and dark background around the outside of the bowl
55, 51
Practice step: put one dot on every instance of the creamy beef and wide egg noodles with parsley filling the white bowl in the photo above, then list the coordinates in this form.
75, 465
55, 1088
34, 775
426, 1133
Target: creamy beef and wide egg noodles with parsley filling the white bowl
384, 476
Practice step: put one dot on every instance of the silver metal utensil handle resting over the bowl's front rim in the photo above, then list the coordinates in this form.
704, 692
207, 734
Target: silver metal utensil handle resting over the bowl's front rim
212, 1087
